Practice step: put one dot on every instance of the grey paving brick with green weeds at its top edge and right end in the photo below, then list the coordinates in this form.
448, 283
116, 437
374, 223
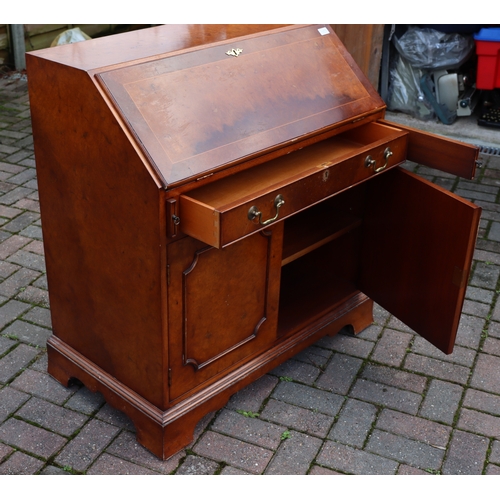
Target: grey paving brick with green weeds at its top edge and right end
251, 430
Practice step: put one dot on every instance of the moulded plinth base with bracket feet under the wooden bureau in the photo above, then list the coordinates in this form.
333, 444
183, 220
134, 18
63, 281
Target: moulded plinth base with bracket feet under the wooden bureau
165, 433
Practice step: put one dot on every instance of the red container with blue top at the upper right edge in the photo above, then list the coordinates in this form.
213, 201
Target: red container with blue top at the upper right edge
488, 58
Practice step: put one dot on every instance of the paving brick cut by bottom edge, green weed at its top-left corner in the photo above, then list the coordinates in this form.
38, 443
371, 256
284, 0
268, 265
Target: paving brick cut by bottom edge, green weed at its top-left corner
295, 455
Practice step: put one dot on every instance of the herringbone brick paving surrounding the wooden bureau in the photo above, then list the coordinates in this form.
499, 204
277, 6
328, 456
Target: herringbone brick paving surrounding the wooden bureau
385, 402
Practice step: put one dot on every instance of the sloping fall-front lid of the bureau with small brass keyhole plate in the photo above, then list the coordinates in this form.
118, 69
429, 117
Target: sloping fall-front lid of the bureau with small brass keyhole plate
201, 109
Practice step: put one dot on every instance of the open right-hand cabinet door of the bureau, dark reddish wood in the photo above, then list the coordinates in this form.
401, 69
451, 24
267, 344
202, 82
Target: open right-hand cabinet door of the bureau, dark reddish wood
417, 252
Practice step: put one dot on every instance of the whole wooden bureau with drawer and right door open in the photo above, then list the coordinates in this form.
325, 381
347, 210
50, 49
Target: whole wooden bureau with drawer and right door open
215, 198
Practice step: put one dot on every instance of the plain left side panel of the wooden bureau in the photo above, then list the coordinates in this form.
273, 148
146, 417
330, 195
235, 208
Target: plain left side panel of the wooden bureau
101, 218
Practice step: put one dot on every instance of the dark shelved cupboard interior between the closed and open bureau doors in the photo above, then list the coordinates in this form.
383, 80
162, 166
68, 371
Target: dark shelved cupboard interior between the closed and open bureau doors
321, 247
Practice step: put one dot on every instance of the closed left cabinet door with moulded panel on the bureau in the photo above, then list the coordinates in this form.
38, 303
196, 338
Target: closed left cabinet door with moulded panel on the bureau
222, 305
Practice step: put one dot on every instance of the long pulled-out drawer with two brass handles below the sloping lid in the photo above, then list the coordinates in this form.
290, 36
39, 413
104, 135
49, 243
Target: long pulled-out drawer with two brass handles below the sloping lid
227, 210
